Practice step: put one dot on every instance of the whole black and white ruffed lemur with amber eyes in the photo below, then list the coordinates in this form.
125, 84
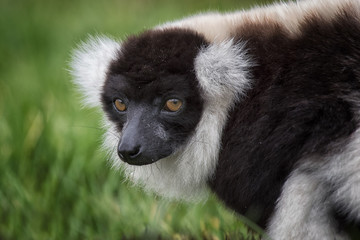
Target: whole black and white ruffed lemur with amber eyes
260, 106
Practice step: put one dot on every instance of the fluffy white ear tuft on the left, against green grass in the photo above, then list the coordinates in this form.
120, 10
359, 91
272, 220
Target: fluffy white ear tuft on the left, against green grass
89, 65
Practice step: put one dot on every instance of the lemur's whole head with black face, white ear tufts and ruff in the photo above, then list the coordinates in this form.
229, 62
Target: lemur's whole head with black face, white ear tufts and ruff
166, 94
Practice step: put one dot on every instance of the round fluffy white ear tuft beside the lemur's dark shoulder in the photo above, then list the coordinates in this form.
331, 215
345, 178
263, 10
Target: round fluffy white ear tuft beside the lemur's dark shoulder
223, 69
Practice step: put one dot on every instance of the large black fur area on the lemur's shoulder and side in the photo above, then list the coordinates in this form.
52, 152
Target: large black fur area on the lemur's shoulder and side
301, 105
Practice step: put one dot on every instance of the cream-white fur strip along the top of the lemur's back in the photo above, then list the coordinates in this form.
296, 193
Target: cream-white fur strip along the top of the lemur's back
289, 15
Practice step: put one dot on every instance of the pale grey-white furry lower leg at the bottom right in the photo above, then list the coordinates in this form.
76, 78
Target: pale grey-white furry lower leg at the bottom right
303, 211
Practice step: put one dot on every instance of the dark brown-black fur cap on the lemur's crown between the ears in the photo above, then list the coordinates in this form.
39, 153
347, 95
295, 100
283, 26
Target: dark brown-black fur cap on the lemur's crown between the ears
154, 54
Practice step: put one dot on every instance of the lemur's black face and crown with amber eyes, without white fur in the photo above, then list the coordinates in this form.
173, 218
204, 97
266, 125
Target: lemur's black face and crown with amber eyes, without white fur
152, 96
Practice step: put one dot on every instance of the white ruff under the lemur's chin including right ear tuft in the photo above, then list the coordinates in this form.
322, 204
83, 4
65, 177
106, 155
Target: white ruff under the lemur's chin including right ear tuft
222, 72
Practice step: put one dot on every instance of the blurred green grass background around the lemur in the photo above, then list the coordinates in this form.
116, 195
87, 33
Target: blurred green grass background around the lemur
55, 183
